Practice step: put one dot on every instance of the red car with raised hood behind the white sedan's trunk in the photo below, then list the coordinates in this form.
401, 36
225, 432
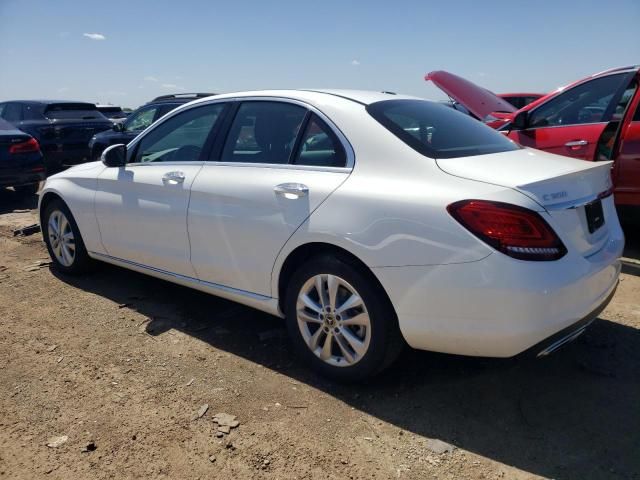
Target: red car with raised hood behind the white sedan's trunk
595, 119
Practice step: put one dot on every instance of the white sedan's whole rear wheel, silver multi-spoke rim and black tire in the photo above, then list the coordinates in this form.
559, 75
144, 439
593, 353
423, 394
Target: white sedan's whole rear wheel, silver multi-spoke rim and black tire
340, 320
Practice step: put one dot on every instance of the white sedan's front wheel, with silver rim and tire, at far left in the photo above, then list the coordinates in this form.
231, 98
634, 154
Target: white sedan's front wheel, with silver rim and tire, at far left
63, 240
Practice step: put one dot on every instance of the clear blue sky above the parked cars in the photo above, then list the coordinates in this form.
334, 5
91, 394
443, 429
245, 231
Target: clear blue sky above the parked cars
128, 51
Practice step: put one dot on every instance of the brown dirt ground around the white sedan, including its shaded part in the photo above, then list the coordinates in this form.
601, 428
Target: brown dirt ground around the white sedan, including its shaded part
126, 362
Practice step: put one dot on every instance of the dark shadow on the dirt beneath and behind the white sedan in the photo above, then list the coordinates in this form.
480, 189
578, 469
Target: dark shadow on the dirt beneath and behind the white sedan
573, 415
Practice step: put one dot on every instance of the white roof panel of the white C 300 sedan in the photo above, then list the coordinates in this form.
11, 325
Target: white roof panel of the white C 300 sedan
363, 97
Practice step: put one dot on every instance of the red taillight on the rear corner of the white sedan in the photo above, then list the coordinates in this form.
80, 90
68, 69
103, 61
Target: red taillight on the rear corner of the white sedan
514, 231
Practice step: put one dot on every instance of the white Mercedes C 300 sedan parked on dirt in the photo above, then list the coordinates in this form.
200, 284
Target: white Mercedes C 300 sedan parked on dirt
368, 220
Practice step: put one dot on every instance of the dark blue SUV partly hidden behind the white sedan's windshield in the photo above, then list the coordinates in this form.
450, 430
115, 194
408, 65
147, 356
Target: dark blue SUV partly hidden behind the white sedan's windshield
138, 120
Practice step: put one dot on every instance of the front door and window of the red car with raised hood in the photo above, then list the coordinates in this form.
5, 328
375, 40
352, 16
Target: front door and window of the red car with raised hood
571, 123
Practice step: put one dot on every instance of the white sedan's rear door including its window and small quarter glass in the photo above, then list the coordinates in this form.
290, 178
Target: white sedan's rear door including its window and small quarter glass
279, 162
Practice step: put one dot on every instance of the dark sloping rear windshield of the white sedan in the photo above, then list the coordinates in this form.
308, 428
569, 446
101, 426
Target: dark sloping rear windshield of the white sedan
438, 131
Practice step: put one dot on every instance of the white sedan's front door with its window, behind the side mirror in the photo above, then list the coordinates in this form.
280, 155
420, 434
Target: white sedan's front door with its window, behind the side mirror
142, 207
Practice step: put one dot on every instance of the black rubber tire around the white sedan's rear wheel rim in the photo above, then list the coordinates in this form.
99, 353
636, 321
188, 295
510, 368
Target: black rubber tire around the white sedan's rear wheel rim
386, 341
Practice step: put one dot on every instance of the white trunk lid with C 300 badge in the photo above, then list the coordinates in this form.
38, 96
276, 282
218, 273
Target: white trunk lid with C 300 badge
568, 190
